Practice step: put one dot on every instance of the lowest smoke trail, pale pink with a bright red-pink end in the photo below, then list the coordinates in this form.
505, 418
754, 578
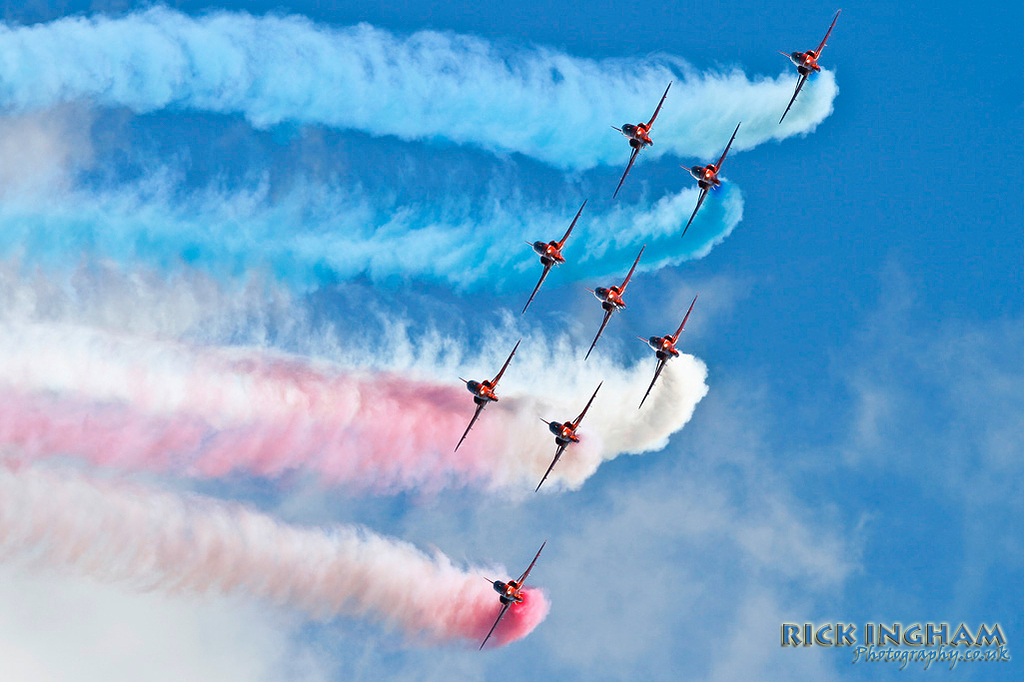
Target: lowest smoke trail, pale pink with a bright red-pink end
160, 541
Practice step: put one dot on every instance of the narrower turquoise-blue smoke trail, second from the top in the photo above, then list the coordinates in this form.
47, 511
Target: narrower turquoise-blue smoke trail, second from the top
318, 236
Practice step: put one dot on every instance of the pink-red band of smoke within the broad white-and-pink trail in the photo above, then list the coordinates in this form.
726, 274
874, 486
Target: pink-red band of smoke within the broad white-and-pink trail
410, 450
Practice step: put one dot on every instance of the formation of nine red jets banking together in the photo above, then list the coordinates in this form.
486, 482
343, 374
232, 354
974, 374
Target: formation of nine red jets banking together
612, 299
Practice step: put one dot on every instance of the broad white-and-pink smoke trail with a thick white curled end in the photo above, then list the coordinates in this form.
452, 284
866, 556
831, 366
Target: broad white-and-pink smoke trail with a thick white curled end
138, 403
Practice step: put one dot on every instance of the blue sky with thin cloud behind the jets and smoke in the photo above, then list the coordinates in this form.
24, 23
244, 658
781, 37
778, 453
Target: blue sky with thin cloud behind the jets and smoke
859, 455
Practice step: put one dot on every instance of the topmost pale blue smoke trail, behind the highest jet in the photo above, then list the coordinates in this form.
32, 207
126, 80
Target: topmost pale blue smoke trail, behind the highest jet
538, 102
